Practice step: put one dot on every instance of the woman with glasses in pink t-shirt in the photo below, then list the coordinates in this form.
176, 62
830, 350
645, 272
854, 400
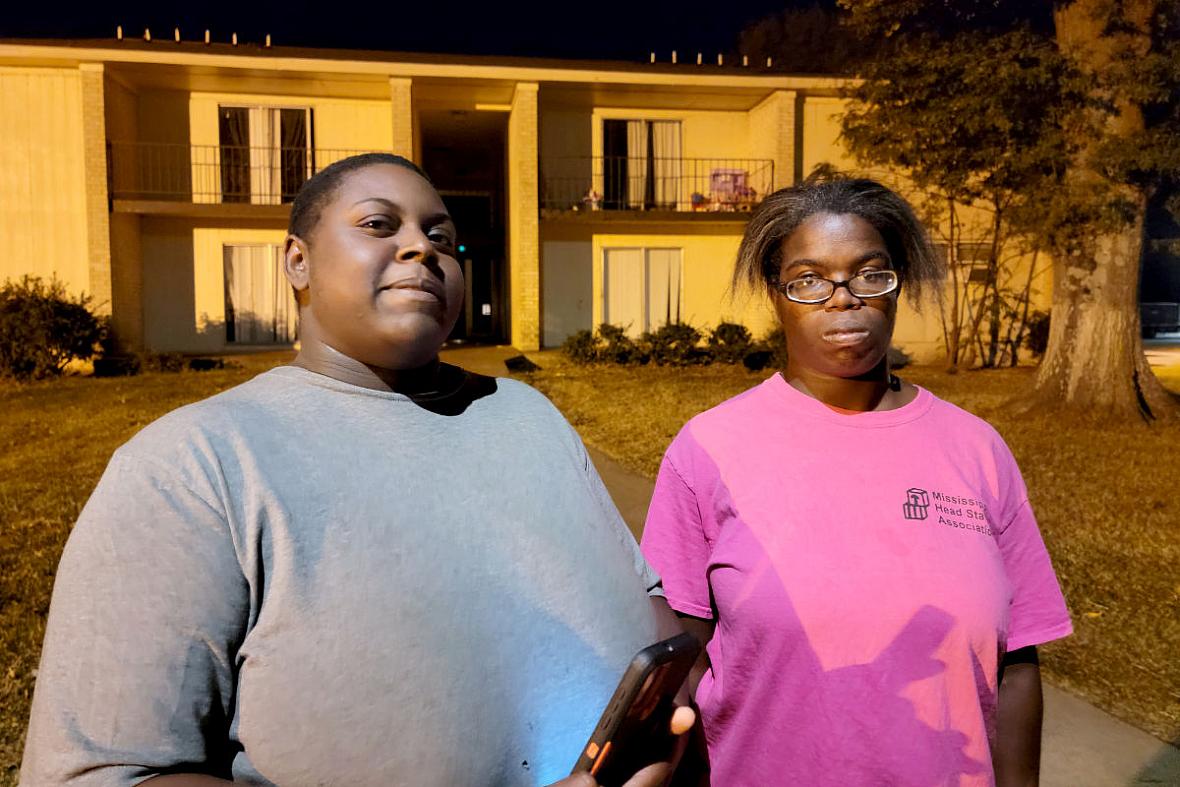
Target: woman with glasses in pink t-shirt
860, 556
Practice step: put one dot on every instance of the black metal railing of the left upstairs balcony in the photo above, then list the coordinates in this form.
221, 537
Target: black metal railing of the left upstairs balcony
214, 174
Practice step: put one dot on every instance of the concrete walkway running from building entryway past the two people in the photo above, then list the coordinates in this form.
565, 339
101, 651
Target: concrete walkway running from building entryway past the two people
1083, 746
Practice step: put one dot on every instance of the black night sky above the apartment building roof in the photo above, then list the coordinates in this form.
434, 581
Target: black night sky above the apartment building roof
614, 30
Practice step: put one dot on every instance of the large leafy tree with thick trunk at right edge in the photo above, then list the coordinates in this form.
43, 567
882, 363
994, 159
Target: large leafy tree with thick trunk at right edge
1077, 183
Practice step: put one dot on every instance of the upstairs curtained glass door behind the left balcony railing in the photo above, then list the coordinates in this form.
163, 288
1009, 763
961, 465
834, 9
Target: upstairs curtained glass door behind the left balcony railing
266, 153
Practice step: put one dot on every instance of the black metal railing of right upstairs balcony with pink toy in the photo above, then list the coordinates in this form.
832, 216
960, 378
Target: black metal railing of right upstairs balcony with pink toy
647, 183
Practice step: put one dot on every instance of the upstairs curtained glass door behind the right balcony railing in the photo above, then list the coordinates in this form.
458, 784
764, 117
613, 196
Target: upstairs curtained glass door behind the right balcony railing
641, 165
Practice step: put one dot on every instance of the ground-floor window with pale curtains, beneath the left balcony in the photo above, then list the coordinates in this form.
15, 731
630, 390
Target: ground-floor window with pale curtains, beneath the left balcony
260, 305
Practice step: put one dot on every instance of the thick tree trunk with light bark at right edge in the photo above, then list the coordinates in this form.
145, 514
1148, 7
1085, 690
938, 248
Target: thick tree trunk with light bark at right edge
1096, 356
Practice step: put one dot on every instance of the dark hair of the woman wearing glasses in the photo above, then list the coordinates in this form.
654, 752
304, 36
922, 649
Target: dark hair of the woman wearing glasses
759, 257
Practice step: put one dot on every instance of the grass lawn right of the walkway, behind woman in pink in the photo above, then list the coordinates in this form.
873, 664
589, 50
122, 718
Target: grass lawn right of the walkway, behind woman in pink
1110, 517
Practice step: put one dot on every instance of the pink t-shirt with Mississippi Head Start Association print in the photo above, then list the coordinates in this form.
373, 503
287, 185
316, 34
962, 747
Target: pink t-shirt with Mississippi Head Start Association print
867, 574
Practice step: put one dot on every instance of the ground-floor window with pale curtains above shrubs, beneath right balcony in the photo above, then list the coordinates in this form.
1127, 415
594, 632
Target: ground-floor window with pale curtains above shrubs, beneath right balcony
641, 288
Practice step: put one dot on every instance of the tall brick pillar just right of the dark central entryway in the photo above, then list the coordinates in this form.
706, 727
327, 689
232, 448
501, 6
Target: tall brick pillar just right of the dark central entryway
525, 229
